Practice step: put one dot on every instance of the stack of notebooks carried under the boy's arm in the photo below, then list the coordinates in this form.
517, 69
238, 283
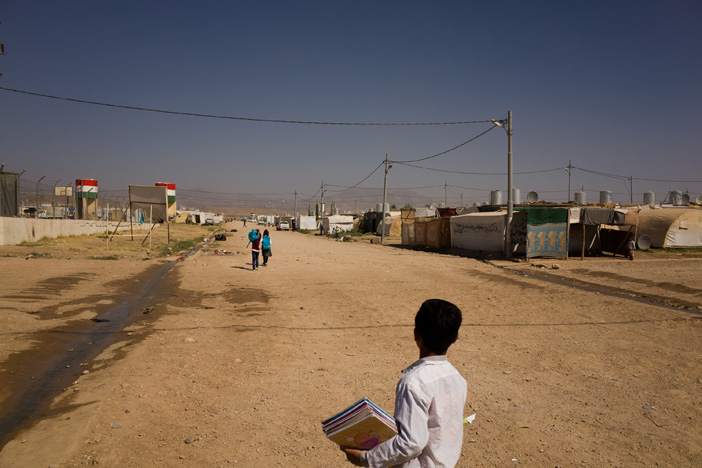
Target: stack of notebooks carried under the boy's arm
362, 425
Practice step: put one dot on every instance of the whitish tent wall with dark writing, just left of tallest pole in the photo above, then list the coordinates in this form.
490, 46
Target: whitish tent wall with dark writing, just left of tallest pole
479, 231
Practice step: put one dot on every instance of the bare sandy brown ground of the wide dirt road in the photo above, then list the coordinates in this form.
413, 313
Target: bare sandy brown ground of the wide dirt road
233, 367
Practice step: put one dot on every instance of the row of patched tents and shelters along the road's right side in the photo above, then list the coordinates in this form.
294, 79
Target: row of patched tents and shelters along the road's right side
557, 232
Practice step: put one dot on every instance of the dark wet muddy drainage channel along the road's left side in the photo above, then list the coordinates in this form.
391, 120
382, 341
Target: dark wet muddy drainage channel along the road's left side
34, 377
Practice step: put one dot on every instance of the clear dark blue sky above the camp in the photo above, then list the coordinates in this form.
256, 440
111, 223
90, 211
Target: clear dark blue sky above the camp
613, 86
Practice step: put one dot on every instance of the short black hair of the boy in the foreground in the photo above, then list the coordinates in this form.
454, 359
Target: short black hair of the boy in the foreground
437, 322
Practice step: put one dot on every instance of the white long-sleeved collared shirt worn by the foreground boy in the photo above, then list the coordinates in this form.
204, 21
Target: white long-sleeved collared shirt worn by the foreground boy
429, 403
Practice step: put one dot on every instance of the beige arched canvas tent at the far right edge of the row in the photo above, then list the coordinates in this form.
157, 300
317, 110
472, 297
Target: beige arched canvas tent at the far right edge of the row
671, 227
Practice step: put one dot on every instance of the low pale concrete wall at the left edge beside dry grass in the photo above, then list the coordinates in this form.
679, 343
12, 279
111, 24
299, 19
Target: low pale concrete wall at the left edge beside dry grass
14, 231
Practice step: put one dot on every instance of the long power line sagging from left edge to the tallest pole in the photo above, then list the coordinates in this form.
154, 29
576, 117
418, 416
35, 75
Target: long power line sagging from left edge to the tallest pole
249, 119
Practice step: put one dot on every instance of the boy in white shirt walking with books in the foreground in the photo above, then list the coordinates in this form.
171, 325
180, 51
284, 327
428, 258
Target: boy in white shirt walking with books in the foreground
429, 399
